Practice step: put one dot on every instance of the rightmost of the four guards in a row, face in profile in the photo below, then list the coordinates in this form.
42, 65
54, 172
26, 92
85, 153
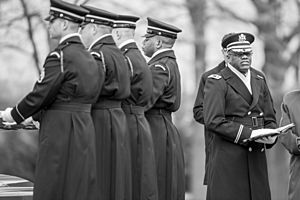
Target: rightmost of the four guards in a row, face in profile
165, 100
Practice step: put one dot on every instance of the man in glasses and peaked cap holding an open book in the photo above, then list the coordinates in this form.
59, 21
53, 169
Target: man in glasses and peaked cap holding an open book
238, 106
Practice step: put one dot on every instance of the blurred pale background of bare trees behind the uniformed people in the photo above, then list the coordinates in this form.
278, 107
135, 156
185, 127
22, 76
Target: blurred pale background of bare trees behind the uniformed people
24, 44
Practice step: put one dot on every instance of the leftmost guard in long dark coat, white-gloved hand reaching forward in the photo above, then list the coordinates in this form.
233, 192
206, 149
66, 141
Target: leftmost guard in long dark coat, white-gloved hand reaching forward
65, 168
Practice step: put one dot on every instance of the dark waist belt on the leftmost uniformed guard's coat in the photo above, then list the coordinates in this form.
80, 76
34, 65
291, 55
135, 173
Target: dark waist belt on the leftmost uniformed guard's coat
71, 106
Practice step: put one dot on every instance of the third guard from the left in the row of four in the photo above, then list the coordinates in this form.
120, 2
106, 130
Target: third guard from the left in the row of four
144, 181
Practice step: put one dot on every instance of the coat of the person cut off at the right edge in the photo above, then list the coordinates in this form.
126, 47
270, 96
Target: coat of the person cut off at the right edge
291, 140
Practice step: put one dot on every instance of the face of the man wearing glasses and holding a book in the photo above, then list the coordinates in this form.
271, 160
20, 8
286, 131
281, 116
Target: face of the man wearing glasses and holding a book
240, 60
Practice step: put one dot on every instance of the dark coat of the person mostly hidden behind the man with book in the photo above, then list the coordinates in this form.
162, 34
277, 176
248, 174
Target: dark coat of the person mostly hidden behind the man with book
198, 113
